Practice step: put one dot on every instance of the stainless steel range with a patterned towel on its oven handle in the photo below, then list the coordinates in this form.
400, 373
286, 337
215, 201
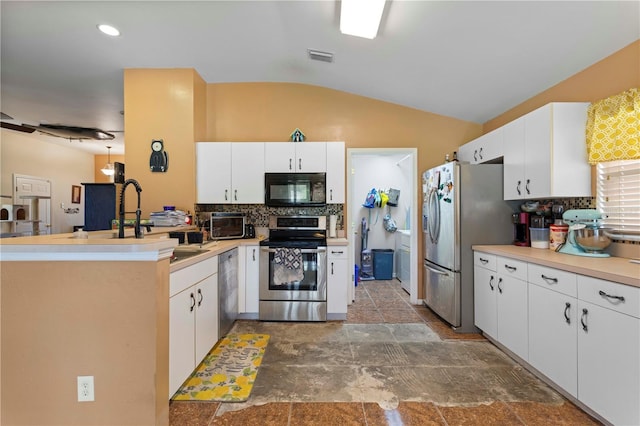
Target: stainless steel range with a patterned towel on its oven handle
293, 269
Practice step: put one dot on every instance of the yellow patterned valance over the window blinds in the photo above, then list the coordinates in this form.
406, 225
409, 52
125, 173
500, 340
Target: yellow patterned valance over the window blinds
613, 128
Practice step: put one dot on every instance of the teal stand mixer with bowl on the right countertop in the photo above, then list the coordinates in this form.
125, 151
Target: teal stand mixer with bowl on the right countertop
586, 236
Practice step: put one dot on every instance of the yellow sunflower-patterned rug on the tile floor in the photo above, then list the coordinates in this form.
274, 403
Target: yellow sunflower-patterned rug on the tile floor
228, 372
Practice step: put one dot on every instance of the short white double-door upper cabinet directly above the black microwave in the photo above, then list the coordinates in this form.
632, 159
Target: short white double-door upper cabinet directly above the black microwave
295, 157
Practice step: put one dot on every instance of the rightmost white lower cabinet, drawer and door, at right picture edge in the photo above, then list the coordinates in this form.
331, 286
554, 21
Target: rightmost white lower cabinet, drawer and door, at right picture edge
609, 350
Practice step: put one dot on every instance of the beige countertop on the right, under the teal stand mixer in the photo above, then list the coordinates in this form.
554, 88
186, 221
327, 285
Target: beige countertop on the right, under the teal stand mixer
617, 269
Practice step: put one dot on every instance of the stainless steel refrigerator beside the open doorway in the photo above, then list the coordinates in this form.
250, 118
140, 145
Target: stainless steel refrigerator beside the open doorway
462, 206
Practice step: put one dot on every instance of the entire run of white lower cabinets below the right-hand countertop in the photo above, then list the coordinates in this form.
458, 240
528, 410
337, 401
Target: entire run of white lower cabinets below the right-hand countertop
583, 333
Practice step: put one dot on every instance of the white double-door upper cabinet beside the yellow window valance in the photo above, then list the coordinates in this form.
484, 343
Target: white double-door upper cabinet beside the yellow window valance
545, 154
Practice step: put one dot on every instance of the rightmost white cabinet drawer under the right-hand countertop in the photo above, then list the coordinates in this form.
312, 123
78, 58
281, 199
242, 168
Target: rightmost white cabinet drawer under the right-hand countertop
618, 297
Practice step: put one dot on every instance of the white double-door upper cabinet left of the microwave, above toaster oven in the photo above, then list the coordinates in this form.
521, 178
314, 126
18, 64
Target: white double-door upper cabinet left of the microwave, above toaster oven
229, 172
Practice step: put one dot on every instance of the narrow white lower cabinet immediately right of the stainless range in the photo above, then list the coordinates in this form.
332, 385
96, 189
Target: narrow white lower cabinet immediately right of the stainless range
337, 280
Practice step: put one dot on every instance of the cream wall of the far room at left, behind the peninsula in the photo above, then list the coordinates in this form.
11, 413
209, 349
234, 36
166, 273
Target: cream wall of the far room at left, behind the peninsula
24, 154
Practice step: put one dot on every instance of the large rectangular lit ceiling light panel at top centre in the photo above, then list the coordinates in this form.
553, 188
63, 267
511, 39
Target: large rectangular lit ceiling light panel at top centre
361, 18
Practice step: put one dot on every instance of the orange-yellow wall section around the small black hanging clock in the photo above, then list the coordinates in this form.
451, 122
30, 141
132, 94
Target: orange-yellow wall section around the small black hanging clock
167, 104
